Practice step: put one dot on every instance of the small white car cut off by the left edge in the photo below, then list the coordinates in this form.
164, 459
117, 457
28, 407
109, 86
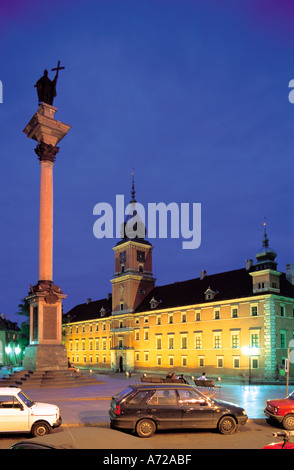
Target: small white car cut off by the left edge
20, 414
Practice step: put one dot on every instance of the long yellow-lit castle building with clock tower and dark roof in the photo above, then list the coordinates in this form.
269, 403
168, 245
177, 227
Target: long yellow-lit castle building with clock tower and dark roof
235, 324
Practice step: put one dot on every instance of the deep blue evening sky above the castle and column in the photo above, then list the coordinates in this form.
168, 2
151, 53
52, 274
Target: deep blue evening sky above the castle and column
192, 94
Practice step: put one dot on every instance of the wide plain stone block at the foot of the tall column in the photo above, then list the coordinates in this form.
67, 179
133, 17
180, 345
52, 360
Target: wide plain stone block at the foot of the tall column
45, 357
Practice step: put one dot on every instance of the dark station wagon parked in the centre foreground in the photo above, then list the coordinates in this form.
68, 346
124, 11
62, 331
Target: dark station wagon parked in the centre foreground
146, 408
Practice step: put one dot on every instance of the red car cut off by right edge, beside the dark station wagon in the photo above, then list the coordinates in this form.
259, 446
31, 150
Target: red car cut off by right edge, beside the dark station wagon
282, 411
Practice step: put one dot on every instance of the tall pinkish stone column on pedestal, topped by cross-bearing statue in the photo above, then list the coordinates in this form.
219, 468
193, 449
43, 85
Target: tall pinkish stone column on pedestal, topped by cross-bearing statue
45, 351
